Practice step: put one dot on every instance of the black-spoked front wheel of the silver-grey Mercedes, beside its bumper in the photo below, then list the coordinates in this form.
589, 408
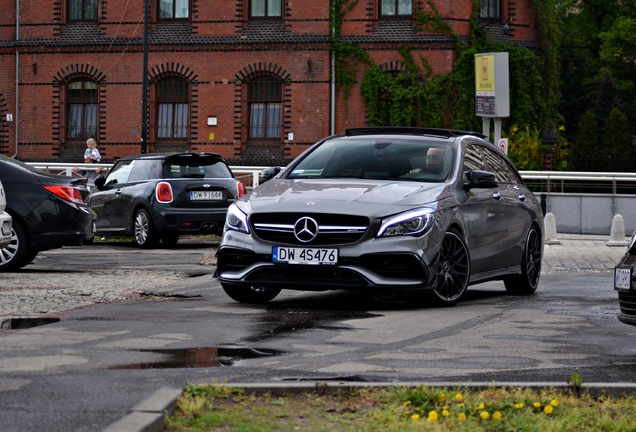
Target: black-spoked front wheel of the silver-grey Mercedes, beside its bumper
453, 271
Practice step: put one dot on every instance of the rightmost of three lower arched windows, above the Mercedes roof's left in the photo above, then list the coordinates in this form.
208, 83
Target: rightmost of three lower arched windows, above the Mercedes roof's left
265, 108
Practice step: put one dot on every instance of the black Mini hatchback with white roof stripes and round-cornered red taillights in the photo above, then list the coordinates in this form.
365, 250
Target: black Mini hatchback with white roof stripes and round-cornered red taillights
157, 197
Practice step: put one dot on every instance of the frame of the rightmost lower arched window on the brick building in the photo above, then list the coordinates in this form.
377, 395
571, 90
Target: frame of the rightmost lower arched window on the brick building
268, 101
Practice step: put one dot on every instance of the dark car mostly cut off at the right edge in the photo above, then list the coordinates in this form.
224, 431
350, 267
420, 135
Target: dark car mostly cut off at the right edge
625, 284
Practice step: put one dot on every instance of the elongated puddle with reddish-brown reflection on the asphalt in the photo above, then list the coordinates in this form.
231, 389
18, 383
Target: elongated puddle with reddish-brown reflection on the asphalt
198, 357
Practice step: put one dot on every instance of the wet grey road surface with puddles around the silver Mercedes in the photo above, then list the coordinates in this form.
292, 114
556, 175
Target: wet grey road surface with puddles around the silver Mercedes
170, 324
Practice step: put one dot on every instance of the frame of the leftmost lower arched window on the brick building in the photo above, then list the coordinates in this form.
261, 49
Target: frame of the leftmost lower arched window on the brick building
86, 129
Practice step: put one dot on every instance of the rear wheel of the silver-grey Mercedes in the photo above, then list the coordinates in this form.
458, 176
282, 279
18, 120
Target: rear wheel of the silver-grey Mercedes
528, 281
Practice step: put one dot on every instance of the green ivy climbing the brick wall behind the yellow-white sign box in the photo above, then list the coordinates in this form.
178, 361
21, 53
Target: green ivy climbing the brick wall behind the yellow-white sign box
415, 97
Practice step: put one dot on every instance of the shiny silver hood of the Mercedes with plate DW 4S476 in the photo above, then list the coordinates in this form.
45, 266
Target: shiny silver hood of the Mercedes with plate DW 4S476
346, 196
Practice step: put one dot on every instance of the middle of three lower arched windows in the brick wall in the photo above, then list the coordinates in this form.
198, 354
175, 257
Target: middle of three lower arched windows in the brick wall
172, 108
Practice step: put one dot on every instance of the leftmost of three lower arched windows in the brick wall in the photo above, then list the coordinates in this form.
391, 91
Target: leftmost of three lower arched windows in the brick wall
82, 109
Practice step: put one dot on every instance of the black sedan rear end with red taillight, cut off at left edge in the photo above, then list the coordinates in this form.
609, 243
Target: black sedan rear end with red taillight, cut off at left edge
48, 211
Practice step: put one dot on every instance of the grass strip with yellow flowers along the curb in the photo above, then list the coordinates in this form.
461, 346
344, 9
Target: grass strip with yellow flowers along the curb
210, 407
